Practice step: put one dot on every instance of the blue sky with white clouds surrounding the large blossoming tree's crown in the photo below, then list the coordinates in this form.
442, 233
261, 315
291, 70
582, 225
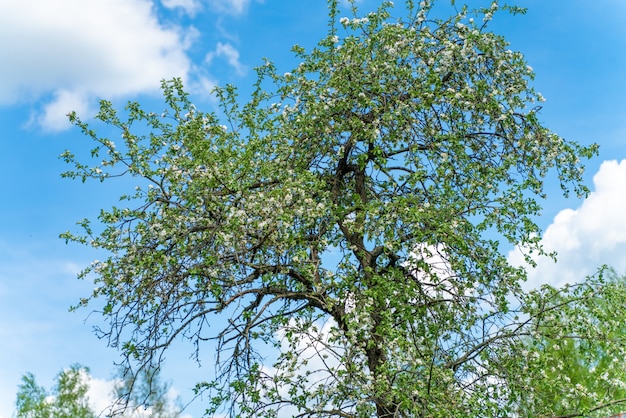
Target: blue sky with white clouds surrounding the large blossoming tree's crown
62, 55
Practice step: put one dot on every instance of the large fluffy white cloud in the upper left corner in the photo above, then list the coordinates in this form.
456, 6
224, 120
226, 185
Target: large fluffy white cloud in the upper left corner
76, 50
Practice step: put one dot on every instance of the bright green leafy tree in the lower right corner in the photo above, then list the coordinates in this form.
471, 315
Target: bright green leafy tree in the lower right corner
575, 364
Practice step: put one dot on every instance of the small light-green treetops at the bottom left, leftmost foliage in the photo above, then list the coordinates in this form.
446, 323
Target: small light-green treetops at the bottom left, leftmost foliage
67, 399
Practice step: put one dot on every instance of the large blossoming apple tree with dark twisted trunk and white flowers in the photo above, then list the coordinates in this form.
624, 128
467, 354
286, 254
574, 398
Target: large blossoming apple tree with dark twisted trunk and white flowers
350, 214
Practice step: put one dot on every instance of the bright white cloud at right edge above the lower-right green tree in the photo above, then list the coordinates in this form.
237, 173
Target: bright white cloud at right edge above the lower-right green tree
586, 237
